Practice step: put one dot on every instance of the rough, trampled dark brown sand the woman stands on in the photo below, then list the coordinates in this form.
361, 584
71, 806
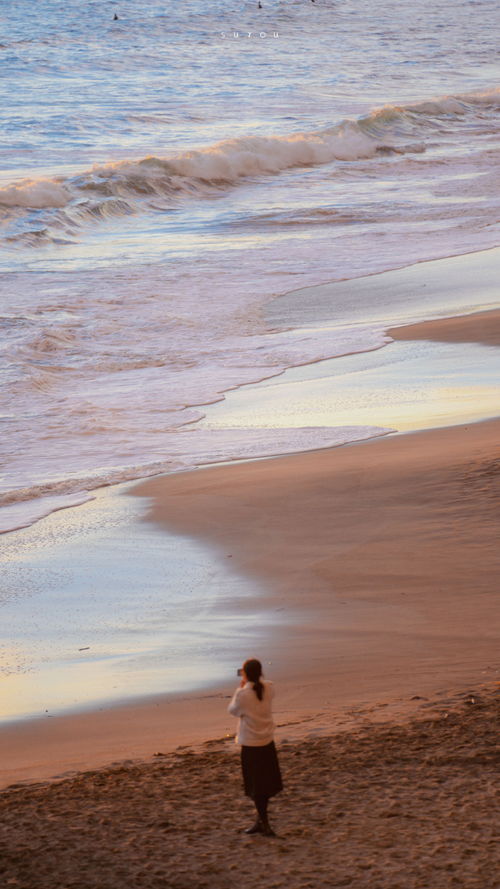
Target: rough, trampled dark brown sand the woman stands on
384, 807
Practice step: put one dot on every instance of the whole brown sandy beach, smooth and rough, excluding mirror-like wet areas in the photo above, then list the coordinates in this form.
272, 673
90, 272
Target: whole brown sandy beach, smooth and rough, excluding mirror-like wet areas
377, 566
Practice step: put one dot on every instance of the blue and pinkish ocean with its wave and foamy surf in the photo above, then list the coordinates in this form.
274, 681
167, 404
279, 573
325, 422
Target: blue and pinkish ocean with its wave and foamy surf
168, 170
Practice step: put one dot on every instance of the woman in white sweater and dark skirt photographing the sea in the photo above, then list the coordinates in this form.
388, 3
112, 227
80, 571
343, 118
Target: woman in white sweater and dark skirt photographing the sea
259, 762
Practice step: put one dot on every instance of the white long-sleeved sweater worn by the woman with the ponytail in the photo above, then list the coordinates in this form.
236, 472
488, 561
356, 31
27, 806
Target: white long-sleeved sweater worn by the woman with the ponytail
255, 726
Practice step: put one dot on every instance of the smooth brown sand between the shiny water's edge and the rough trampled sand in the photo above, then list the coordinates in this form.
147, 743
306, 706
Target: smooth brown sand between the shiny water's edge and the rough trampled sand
386, 649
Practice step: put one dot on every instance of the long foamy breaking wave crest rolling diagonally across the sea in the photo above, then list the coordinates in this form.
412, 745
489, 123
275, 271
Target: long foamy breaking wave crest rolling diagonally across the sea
160, 183
